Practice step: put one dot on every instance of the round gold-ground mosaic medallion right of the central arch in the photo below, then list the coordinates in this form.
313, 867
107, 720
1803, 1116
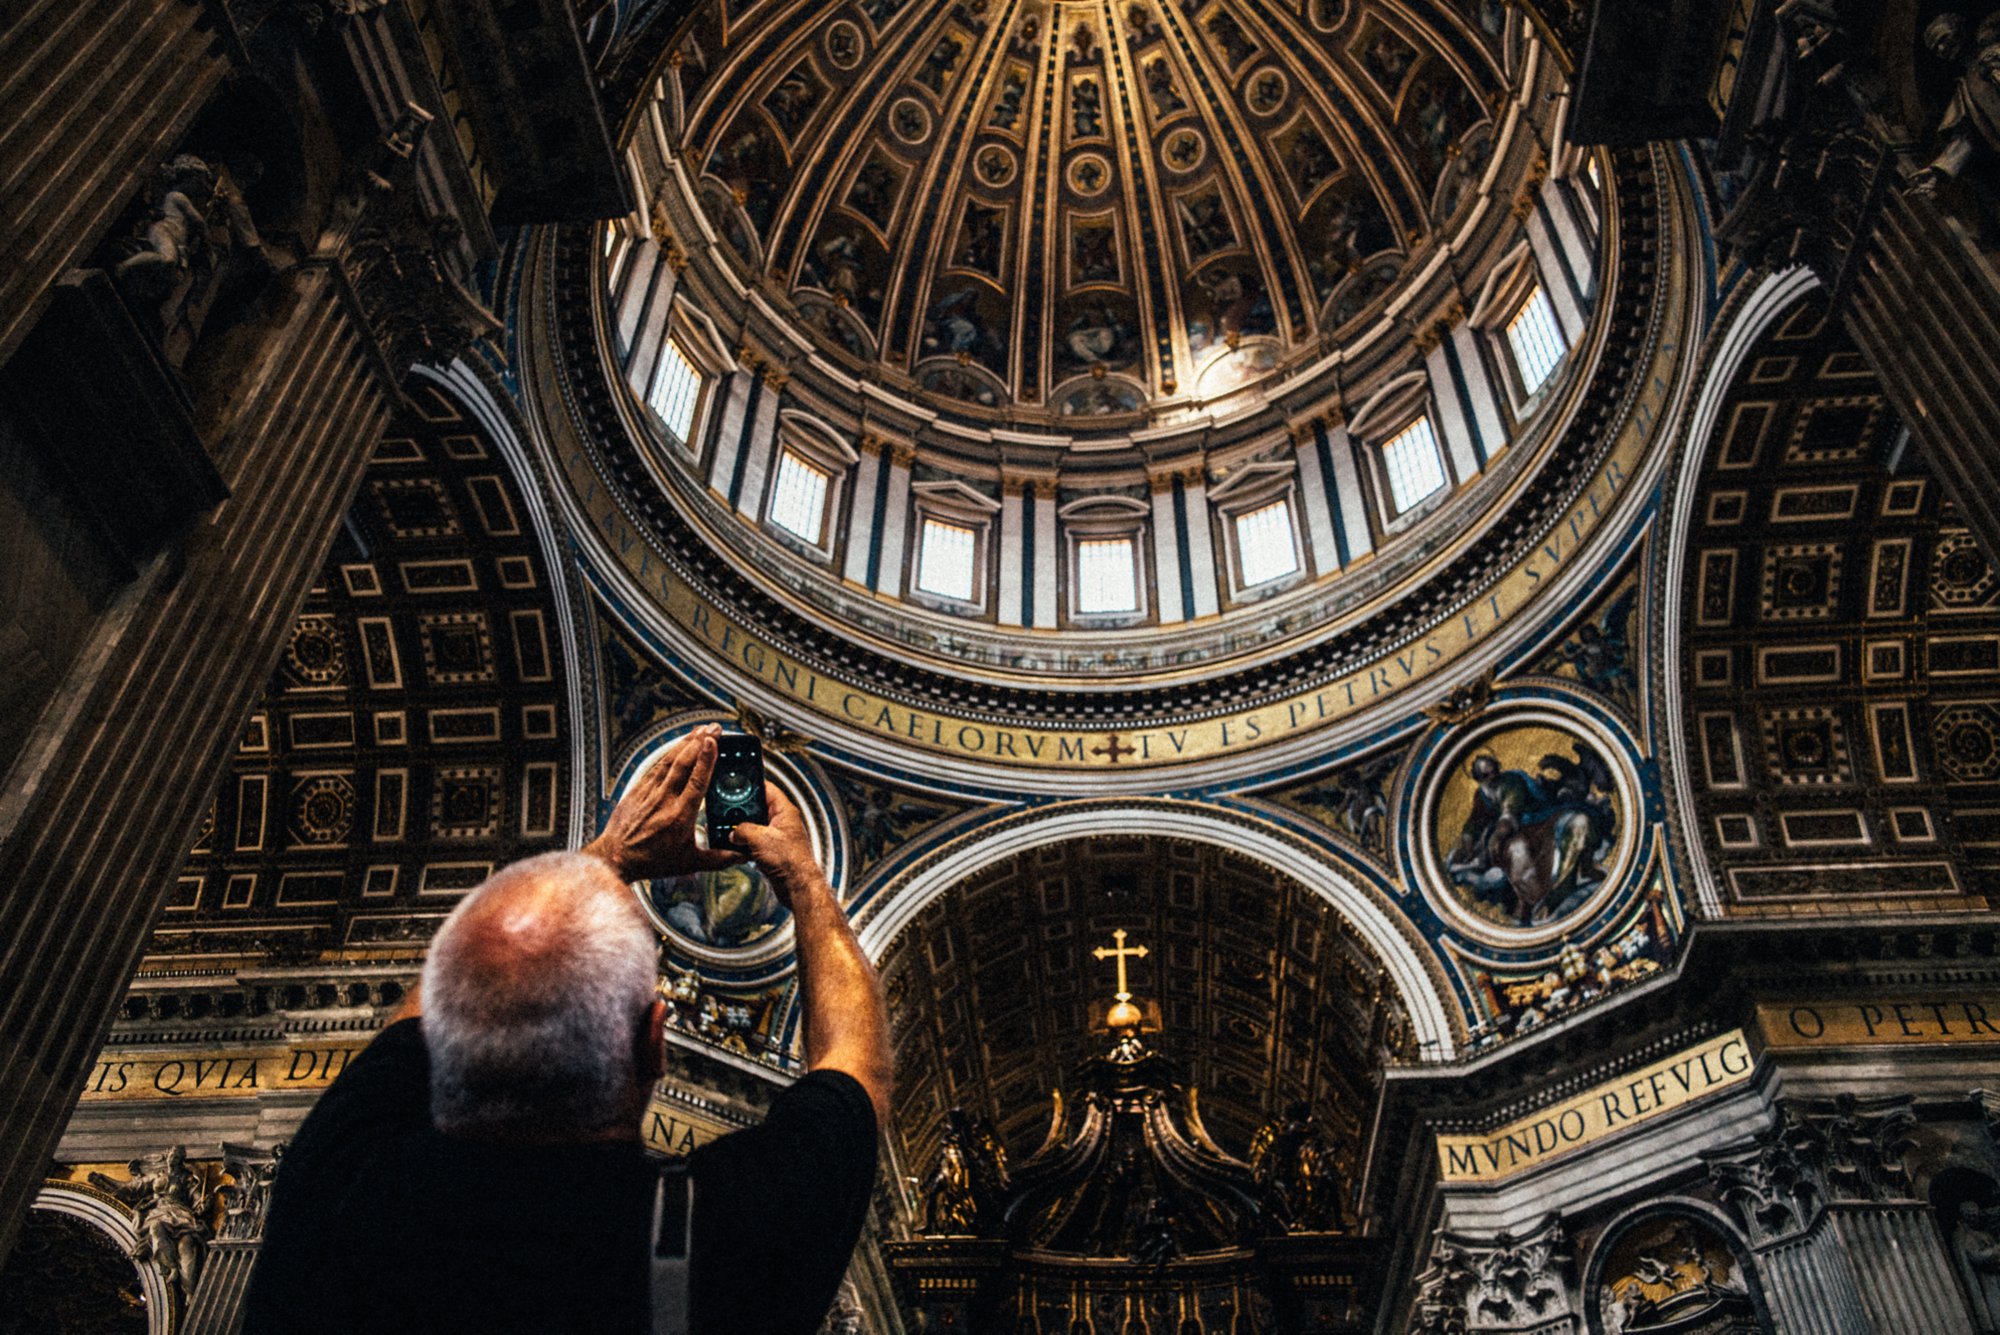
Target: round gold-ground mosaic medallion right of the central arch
1527, 822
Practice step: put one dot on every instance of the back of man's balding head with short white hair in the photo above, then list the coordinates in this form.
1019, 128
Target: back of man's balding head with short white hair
545, 1044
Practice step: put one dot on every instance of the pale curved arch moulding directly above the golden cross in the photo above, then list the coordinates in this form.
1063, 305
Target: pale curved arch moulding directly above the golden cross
1403, 954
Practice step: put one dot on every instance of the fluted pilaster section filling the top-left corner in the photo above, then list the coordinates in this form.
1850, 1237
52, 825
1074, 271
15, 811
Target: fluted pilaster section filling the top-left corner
93, 97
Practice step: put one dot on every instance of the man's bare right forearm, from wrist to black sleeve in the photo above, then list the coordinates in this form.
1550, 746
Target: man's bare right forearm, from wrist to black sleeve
847, 1020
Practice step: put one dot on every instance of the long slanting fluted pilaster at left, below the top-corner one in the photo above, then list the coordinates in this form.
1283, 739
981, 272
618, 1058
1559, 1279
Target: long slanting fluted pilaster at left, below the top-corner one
107, 814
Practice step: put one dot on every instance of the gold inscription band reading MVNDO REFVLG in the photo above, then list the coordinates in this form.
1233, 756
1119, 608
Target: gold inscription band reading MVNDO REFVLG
1595, 1114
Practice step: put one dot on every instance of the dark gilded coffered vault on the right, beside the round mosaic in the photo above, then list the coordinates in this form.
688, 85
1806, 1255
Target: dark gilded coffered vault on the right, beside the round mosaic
1841, 649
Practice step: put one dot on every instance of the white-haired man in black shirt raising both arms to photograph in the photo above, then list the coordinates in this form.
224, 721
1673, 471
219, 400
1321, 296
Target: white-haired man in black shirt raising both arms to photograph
479, 1168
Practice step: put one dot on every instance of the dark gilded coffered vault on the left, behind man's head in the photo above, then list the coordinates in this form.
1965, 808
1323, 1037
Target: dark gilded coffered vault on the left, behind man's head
417, 728
